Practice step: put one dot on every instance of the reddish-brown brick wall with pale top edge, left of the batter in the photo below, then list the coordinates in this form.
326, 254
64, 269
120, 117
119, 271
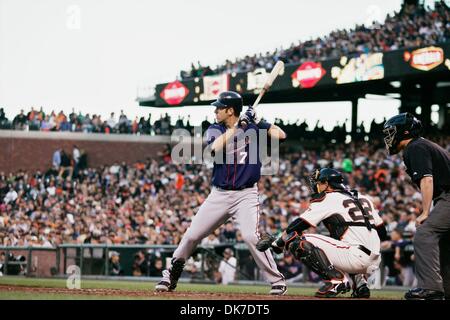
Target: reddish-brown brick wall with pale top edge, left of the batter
33, 151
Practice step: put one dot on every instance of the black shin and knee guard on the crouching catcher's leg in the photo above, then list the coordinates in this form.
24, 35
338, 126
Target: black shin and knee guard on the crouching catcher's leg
315, 258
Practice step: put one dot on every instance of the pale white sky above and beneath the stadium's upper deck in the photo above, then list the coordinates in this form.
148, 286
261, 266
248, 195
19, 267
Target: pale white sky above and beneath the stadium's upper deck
93, 55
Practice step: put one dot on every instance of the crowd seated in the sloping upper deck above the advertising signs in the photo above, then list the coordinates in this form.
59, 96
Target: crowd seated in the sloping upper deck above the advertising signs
412, 26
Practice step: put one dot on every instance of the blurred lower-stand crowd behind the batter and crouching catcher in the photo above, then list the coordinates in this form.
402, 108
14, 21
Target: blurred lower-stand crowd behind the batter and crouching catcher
153, 201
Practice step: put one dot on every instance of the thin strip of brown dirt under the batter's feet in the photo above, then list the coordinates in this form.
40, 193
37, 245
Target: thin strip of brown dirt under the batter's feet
150, 294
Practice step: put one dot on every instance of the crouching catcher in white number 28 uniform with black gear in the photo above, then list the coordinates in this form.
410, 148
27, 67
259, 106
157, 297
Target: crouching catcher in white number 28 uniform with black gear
353, 249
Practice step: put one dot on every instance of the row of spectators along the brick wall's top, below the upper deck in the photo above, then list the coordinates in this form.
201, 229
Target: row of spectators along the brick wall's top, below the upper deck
77, 122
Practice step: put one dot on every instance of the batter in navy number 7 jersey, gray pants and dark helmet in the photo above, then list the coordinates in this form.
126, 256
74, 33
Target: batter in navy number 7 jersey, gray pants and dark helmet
234, 193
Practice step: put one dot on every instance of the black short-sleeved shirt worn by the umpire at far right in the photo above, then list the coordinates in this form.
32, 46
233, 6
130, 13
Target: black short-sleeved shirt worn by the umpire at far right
424, 158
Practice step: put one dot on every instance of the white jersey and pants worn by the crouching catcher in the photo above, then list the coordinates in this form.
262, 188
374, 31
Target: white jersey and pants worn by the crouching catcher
351, 247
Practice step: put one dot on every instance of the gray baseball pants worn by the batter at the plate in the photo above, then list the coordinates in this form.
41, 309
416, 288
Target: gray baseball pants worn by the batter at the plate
220, 206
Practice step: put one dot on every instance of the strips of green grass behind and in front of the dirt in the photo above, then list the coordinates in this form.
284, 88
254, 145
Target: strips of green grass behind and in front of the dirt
148, 286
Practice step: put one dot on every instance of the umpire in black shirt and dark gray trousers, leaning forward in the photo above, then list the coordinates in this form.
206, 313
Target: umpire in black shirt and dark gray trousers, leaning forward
428, 165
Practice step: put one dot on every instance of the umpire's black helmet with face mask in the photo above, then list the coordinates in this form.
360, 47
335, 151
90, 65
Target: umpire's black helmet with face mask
398, 128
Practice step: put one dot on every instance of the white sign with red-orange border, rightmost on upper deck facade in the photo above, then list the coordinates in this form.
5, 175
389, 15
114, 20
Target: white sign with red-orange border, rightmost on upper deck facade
425, 59
